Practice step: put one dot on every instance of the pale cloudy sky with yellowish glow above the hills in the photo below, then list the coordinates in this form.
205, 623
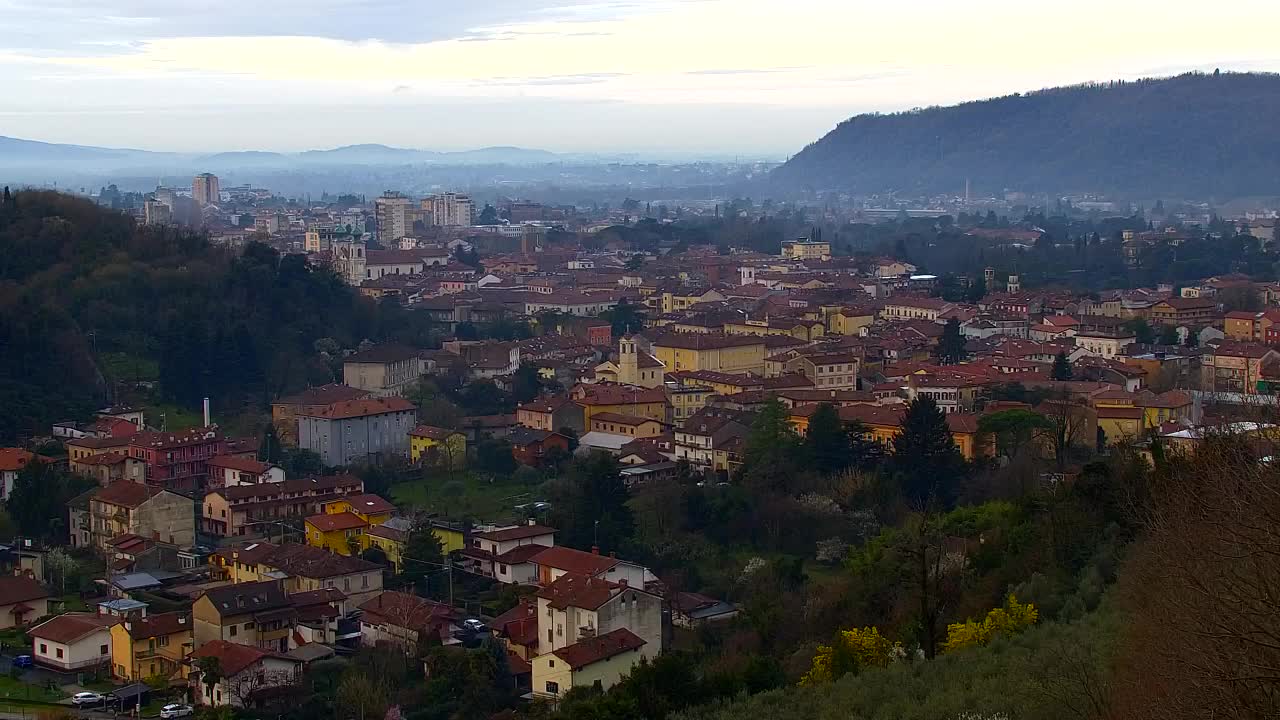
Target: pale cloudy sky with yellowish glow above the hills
752, 78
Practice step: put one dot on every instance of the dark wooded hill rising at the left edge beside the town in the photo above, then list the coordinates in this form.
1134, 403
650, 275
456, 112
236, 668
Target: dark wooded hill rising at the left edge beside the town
92, 303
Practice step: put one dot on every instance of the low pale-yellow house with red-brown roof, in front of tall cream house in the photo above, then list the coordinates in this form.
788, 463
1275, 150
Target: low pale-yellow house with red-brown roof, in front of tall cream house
601, 662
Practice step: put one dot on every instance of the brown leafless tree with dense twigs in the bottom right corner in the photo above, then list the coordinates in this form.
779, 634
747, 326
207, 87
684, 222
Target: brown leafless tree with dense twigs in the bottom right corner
1204, 593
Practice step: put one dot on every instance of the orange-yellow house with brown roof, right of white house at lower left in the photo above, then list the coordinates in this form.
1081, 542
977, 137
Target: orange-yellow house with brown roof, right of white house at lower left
153, 646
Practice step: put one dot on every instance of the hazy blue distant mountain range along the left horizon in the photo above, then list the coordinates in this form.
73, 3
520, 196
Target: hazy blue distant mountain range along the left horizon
28, 154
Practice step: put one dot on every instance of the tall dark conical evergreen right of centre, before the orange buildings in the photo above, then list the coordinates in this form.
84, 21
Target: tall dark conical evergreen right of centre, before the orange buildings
926, 459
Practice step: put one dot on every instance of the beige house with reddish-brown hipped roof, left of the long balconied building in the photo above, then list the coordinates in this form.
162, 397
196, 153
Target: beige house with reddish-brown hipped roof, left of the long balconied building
141, 511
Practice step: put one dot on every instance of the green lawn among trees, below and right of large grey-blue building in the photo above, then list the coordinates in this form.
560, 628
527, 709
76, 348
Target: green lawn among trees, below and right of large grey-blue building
468, 495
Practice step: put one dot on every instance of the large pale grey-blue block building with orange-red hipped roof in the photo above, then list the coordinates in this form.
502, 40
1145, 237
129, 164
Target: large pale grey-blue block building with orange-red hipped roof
359, 431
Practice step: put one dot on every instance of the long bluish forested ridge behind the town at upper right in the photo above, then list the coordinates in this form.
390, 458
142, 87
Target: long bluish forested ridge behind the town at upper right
1199, 136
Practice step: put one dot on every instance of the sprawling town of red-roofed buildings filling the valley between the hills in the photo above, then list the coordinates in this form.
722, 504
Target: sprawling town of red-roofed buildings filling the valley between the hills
529, 484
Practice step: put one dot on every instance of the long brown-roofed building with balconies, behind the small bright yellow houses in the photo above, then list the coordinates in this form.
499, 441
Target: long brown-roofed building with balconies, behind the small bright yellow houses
250, 511
